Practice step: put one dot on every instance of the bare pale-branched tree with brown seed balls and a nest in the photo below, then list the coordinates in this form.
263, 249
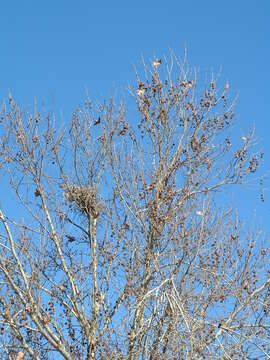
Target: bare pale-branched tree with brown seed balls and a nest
114, 240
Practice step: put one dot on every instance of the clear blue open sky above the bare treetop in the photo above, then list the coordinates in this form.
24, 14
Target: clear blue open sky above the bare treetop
57, 49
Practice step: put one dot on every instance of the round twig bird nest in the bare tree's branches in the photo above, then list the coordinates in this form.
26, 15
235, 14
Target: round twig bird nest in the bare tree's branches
84, 198
